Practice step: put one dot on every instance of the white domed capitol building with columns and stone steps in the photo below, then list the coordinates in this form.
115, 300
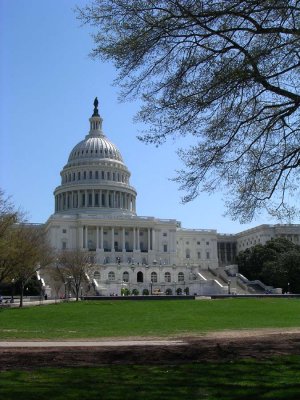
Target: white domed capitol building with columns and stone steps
95, 210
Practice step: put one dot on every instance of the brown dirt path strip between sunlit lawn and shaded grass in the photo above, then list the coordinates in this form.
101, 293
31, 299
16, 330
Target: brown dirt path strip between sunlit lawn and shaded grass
214, 346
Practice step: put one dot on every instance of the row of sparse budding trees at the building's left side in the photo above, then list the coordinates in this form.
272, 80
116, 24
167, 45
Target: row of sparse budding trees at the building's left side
24, 251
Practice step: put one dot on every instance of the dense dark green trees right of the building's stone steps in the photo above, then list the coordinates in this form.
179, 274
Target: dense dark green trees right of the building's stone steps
277, 263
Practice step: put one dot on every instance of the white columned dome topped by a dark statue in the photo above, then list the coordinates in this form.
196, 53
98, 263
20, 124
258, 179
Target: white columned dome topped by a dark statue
95, 177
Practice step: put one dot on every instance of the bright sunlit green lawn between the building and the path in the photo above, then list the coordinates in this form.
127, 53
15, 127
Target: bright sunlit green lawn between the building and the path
145, 318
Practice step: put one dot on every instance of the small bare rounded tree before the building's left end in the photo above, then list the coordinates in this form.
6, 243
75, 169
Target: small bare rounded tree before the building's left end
73, 266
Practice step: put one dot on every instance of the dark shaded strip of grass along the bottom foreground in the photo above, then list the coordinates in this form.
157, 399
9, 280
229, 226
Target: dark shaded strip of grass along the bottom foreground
278, 378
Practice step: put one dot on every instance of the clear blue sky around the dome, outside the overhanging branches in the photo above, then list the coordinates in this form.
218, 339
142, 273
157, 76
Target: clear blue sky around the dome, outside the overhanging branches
48, 84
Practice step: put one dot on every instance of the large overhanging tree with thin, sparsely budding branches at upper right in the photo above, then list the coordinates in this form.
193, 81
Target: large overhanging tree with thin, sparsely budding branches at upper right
225, 72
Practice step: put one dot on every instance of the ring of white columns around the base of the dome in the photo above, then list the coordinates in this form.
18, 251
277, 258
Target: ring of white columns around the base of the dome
94, 198
